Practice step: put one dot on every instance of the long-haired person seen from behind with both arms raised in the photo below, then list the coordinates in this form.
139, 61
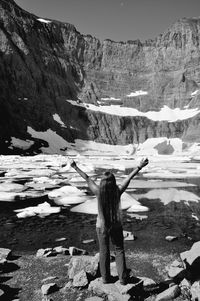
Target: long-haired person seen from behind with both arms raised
109, 219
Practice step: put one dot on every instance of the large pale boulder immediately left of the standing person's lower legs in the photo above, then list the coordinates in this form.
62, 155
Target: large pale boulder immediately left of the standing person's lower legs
89, 264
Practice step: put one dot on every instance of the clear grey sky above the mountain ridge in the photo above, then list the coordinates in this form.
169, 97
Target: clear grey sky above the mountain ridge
118, 20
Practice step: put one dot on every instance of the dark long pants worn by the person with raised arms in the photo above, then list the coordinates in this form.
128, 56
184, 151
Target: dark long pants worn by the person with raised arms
116, 235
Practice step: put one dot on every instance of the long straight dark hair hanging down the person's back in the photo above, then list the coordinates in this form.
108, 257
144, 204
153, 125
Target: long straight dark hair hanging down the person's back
108, 201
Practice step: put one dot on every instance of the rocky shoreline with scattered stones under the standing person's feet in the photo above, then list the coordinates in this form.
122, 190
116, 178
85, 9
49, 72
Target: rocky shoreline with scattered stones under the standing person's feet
60, 274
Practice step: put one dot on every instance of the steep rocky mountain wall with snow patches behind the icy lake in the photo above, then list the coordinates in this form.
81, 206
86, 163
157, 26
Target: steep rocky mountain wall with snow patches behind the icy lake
44, 64
